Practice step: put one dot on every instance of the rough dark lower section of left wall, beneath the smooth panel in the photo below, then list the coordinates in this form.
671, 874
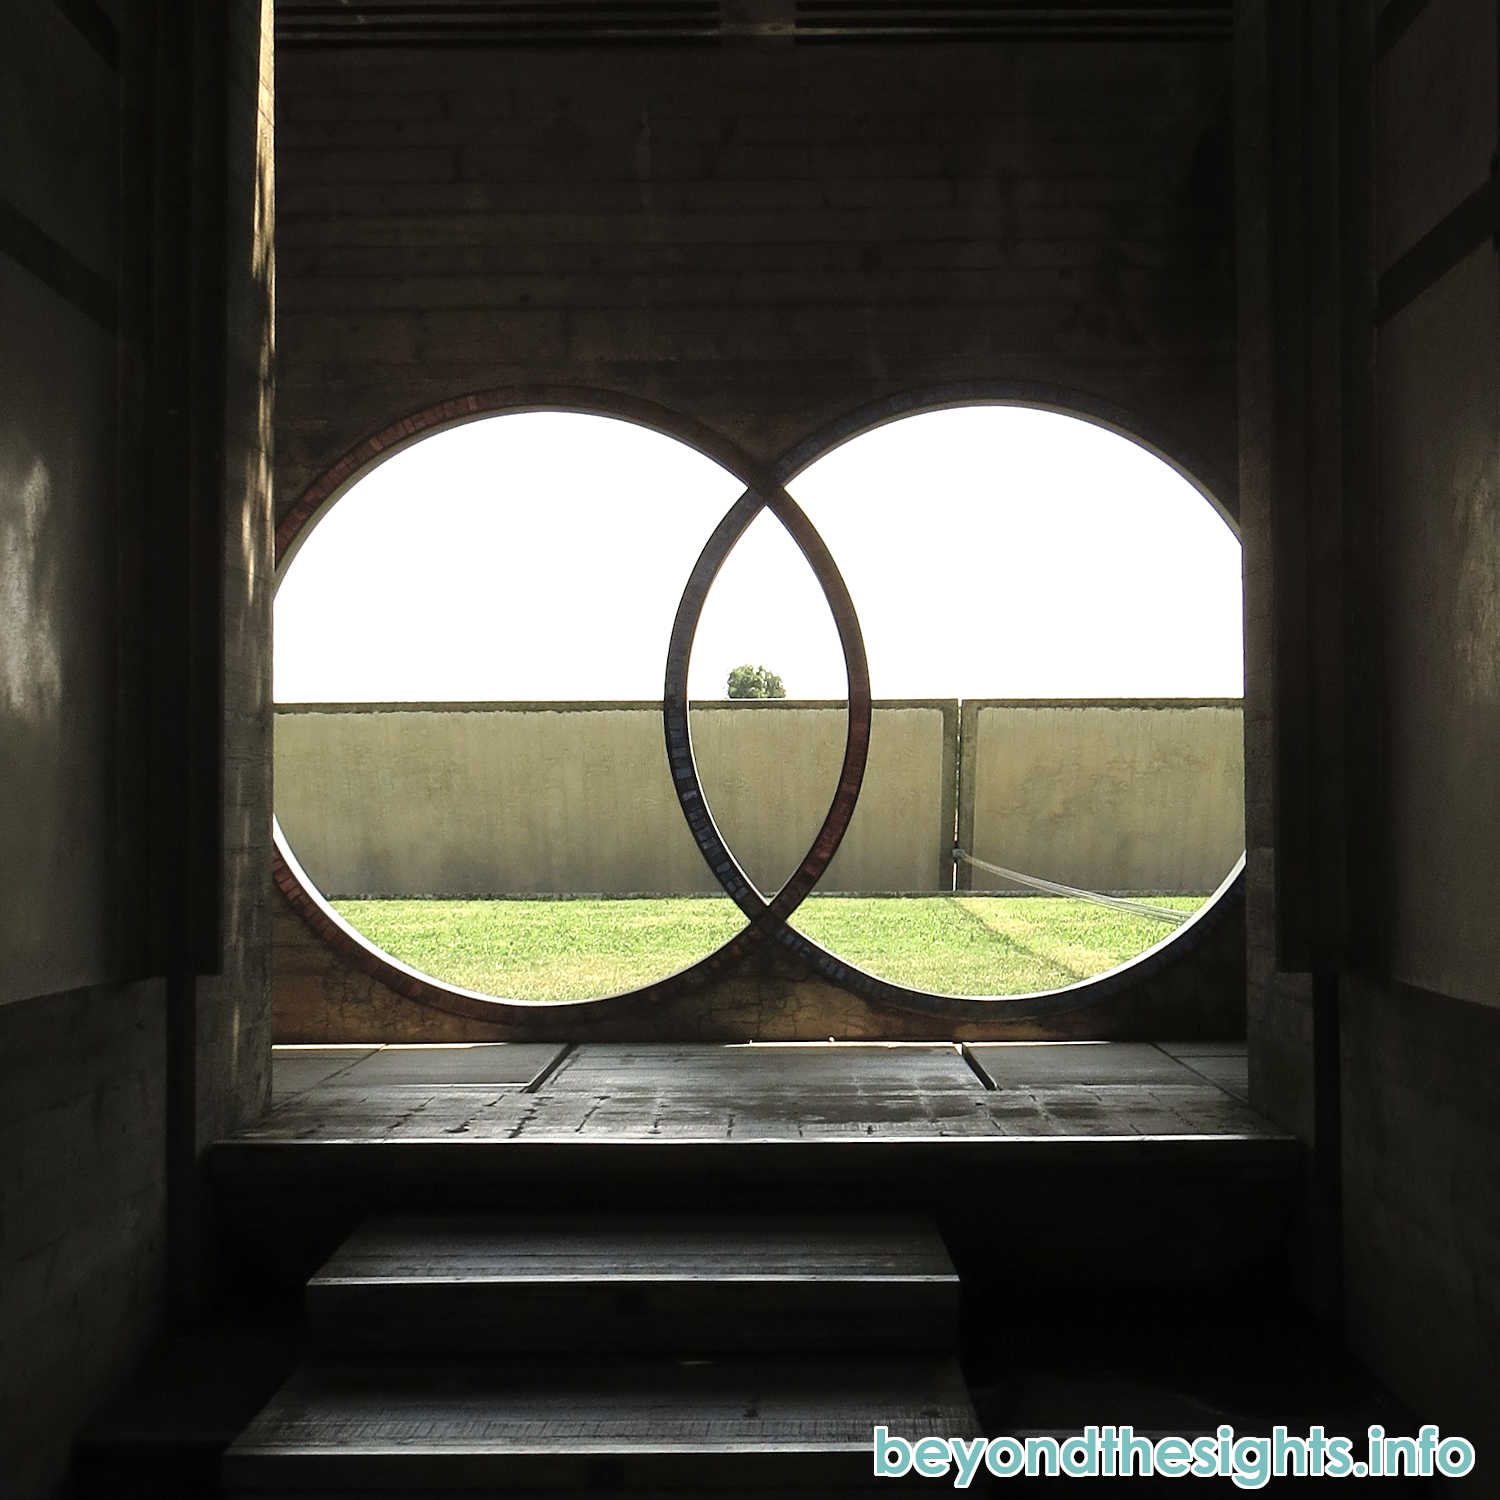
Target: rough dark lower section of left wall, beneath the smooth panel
83, 1120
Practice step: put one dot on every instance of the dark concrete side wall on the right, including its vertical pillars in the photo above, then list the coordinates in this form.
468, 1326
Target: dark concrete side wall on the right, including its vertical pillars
1370, 479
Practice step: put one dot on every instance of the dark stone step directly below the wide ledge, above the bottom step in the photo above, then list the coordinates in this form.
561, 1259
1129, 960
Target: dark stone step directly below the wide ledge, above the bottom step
638, 1285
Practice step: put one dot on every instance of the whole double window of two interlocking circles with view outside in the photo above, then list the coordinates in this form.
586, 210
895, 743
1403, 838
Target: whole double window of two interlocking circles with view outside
488, 637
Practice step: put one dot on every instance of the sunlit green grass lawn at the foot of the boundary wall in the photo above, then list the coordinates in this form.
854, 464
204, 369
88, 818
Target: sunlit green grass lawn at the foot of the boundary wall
581, 949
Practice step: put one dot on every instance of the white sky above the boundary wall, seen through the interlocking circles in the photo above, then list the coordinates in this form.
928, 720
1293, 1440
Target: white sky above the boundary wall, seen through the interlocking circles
991, 553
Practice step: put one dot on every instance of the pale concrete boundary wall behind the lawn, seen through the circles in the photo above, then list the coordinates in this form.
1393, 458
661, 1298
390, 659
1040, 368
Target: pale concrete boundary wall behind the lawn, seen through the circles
577, 799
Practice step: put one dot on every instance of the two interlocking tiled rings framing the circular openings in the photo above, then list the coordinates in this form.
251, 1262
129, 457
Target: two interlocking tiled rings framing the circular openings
767, 485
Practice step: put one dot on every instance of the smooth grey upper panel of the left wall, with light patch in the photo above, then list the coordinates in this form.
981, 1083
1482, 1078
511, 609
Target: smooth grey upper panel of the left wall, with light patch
58, 494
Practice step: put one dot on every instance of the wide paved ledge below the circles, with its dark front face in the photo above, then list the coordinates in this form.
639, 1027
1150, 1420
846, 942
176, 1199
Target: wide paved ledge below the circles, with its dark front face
1108, 1162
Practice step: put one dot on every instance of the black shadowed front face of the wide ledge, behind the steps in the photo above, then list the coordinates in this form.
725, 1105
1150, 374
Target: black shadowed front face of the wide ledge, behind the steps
1111, 1211
